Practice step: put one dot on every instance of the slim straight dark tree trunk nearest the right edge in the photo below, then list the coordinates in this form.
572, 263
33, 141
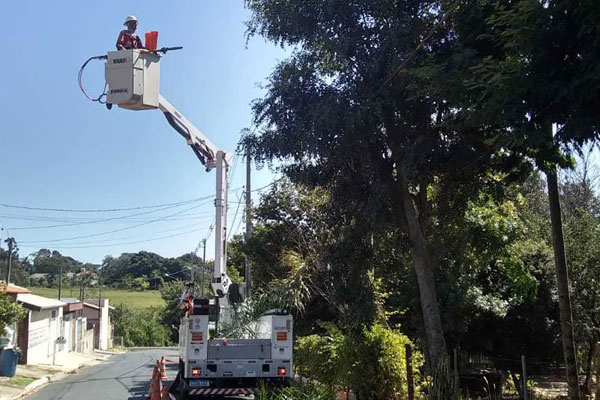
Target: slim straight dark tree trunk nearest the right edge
562, 281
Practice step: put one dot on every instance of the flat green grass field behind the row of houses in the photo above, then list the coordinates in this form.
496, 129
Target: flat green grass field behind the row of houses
134, 299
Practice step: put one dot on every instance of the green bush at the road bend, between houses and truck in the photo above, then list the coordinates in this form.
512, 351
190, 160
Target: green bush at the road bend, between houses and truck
140, 327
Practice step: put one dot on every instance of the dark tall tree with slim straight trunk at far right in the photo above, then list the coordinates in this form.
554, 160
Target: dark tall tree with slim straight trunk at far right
535, 64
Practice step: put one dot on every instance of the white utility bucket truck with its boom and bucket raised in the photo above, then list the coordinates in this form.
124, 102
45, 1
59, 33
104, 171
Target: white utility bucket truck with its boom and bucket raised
207, 368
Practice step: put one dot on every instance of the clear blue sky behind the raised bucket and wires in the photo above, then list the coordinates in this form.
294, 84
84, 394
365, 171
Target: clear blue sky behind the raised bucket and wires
59, 150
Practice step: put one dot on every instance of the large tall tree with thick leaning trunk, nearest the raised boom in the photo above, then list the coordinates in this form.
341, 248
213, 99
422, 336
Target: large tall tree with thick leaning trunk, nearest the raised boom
359, 108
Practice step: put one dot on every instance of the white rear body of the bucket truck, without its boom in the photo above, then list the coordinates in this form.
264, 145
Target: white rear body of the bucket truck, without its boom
235, 363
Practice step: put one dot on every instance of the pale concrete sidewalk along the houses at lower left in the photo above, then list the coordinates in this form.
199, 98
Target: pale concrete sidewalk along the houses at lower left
32, 377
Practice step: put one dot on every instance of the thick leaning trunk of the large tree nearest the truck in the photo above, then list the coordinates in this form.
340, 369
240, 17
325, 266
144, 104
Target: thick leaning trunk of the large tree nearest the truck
425, 276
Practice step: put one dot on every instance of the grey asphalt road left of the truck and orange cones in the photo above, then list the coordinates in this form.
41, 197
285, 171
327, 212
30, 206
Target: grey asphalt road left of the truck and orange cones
123, 376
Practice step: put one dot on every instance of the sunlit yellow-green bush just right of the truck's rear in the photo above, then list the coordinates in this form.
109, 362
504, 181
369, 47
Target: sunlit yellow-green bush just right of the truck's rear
373, 364
